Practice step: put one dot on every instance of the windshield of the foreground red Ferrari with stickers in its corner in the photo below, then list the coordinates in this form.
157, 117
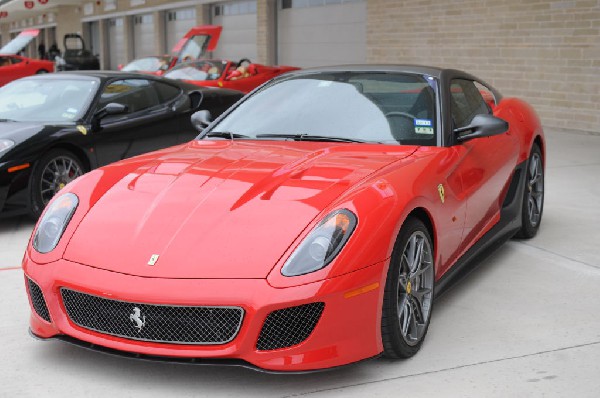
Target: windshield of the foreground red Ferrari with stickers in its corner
391, 108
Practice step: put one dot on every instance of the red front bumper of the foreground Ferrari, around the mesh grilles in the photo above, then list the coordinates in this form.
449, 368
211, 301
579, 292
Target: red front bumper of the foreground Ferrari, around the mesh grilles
347, 331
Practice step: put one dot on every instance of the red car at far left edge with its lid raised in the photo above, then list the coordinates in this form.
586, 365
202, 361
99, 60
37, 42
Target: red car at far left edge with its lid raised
13, 66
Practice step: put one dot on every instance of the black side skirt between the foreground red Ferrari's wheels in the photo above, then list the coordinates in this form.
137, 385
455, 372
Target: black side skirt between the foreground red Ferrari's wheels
509, 224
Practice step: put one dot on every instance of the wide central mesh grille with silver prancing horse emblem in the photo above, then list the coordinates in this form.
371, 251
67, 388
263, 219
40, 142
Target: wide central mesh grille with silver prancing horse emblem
148, 322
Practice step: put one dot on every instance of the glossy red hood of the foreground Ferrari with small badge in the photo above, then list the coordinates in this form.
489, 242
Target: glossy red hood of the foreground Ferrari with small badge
219, 209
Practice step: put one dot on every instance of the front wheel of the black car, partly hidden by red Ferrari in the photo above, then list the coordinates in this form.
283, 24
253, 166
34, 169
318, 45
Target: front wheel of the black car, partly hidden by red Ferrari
52, 172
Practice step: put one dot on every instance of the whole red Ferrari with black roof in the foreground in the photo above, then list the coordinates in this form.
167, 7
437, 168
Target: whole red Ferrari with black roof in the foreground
308, 227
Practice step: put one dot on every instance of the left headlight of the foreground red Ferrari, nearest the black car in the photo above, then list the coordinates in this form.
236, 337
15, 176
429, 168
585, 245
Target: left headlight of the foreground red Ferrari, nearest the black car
54, 222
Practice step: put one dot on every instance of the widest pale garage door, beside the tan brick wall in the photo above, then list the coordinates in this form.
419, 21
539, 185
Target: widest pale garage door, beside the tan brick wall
321, 32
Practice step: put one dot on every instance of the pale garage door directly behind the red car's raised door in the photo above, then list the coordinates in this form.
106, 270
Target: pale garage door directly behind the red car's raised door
238, 38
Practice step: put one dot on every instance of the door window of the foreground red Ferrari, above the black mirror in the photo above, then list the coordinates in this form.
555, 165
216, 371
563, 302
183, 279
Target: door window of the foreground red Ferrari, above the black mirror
467, 102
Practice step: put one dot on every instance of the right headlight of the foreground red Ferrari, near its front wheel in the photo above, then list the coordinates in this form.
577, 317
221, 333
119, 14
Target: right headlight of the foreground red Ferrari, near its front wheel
322, 245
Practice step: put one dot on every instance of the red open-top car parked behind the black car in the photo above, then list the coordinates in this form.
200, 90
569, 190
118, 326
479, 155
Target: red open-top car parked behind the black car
242, 75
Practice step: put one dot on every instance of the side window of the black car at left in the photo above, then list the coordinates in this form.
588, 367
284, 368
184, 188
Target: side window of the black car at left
137, 94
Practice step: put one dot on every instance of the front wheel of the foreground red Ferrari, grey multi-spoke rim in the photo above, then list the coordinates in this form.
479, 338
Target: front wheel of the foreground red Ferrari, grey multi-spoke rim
408, 295
